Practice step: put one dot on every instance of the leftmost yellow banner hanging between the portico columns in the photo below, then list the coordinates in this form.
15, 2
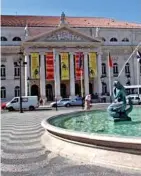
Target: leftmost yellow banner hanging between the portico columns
35, 66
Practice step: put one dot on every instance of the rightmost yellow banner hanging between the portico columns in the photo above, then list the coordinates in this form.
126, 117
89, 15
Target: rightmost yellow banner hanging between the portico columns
92, 65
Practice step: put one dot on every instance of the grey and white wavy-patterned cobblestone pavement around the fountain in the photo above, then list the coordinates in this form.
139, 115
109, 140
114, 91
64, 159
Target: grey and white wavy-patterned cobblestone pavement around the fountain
23, 155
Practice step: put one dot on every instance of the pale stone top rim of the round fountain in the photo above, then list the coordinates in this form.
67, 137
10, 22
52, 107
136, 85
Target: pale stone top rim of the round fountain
57, 130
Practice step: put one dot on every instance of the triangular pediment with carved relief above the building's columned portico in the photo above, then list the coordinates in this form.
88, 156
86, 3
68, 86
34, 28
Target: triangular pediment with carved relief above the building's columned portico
63, 34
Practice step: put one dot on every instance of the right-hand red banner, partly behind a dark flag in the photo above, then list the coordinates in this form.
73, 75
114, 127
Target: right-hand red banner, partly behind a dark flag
79, 59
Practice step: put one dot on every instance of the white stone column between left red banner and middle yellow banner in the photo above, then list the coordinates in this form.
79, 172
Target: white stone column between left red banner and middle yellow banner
57, 75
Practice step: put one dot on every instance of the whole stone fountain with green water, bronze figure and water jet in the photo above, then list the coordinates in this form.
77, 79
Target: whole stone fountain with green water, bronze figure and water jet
91, 135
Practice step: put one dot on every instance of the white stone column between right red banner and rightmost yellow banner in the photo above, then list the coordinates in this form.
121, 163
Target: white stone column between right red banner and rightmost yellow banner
86, 74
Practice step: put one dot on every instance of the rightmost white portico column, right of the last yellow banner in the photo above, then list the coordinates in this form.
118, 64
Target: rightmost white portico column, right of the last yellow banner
99, 73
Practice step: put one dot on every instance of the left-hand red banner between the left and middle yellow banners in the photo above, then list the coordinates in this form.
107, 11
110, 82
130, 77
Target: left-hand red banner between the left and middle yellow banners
49, 66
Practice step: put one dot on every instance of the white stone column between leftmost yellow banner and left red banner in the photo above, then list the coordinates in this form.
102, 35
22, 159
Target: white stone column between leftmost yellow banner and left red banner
42, 76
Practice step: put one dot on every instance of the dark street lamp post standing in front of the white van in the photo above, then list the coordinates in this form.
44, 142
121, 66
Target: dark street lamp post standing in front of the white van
21, 64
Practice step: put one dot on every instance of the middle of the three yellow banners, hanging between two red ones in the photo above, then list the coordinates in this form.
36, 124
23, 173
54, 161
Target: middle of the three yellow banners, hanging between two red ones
64, 66
